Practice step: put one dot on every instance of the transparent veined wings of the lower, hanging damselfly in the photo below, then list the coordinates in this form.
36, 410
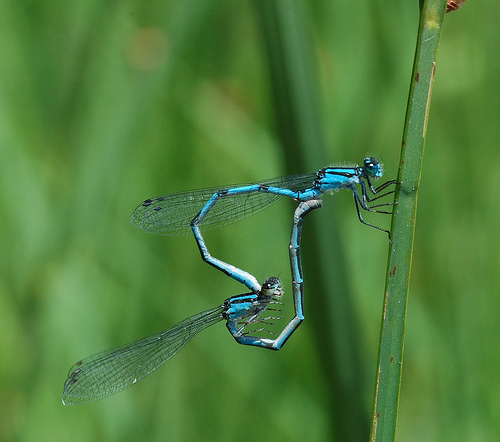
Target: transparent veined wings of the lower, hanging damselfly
111, 371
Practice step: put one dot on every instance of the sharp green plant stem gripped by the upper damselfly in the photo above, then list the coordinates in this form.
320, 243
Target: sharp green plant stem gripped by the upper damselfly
390, 360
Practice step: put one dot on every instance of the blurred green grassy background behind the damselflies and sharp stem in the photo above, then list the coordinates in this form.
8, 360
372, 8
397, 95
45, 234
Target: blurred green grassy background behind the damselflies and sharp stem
104, 104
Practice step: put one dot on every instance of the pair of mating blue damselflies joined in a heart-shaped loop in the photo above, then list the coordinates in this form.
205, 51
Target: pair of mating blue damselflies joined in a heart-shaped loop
111, 371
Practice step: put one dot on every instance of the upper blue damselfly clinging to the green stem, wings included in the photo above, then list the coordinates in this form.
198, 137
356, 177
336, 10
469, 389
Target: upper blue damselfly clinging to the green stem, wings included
177, 213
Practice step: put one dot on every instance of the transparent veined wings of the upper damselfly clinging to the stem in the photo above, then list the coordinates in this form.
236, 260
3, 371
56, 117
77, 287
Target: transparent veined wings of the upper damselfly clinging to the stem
171, 214
